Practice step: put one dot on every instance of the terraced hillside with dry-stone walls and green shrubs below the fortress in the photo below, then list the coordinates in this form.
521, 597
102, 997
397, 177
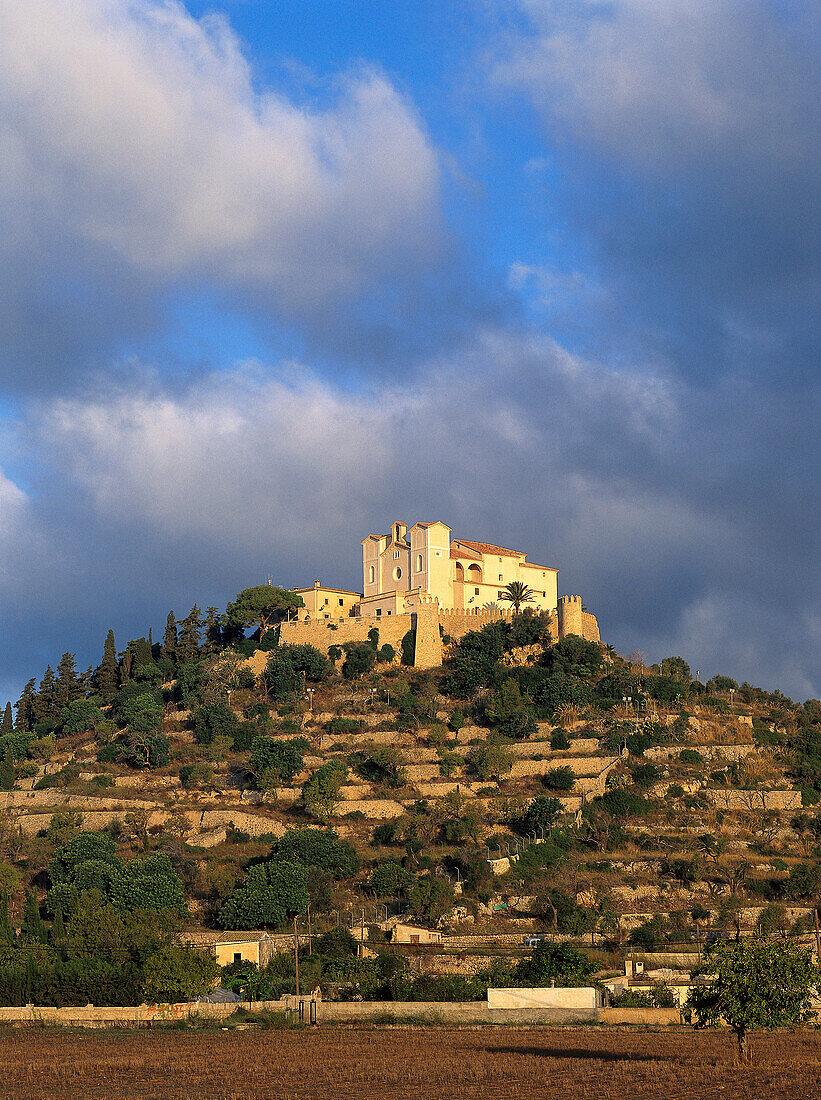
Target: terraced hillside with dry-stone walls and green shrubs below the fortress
528, 787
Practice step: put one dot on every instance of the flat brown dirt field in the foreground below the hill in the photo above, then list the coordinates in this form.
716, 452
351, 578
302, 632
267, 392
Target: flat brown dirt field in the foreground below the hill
413, 1064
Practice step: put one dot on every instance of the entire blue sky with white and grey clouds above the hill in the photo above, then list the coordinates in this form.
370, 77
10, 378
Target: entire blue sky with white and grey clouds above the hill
273, 277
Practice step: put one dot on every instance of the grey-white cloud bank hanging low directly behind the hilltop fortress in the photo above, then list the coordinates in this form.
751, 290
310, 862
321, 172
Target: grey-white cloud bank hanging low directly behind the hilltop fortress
184, 494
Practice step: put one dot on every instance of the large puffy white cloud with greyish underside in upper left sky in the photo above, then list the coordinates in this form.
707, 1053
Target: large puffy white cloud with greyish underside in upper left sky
136, 133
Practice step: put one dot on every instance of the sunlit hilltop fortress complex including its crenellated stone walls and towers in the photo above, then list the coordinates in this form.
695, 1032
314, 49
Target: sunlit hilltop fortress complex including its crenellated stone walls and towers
424, 582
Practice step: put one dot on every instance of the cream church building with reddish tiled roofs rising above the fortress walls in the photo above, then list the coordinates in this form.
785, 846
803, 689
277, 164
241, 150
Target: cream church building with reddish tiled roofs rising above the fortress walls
406, 567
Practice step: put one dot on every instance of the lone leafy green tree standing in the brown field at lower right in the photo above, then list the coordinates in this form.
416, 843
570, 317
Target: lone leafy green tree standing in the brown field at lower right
754, 985
